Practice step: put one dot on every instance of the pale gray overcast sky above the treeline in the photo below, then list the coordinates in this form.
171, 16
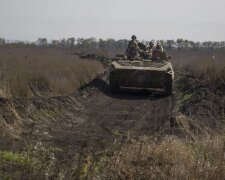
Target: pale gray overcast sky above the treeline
198, 20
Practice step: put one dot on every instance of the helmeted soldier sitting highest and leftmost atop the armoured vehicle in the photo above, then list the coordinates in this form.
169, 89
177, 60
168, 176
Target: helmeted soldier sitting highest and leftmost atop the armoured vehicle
133, 49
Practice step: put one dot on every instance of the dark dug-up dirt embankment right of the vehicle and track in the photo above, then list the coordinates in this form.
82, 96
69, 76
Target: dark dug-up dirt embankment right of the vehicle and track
200, 101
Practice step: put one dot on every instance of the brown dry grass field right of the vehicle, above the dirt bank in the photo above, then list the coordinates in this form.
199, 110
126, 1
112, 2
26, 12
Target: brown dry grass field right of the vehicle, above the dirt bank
201, 65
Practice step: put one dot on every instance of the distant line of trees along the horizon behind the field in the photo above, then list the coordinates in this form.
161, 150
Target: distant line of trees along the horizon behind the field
112, 44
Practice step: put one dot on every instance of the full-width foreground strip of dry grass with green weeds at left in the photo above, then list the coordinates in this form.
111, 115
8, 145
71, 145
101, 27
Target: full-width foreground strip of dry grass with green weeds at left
167, 157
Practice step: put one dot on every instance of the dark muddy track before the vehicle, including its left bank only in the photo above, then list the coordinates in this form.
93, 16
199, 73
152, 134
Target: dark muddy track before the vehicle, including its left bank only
86, 122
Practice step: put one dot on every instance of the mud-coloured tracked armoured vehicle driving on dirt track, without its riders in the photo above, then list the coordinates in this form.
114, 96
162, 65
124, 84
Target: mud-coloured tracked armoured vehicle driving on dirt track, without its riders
145, 74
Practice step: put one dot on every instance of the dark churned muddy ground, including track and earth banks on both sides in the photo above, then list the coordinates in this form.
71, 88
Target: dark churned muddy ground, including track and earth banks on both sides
95, 121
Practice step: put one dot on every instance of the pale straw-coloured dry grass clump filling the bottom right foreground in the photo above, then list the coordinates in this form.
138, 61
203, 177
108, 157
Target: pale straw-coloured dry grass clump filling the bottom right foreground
169, 158
